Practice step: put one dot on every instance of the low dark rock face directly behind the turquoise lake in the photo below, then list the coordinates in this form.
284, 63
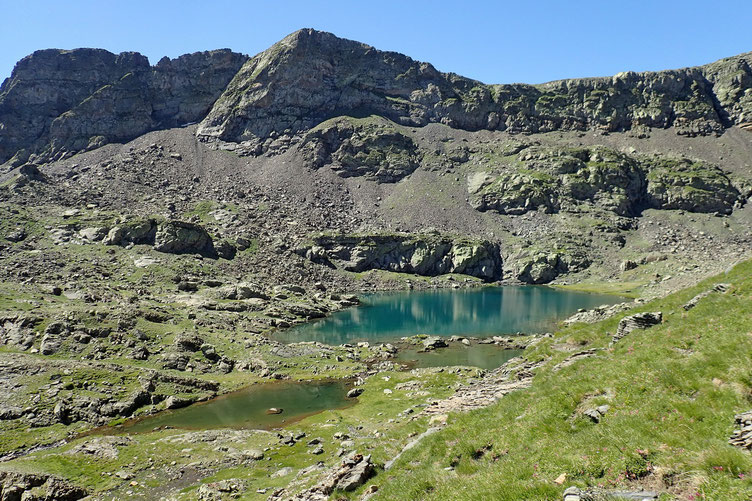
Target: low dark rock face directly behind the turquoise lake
428, 255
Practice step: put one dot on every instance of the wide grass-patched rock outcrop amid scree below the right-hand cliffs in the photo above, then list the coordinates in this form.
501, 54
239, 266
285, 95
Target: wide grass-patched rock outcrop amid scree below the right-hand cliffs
566, 179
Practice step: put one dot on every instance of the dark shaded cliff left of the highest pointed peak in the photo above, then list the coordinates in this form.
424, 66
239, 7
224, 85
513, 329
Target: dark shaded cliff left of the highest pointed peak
58, 101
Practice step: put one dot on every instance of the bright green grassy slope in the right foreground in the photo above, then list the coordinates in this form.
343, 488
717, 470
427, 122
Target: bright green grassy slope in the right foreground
673, 391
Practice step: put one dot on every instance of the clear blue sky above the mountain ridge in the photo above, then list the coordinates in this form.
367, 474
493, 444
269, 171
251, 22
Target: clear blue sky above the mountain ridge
495, 42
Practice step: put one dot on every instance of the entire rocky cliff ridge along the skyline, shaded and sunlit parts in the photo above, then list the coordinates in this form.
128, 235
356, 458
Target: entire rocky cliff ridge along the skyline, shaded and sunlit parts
59, 102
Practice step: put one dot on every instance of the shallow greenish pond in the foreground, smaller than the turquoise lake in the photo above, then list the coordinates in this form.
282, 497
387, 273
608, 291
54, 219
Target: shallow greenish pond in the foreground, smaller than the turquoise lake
247, 408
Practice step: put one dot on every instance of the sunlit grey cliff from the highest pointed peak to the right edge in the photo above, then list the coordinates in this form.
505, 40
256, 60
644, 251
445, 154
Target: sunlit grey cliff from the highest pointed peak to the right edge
311, 76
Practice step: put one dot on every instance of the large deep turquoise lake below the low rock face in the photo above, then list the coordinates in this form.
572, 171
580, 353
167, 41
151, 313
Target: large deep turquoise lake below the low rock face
479, 312
